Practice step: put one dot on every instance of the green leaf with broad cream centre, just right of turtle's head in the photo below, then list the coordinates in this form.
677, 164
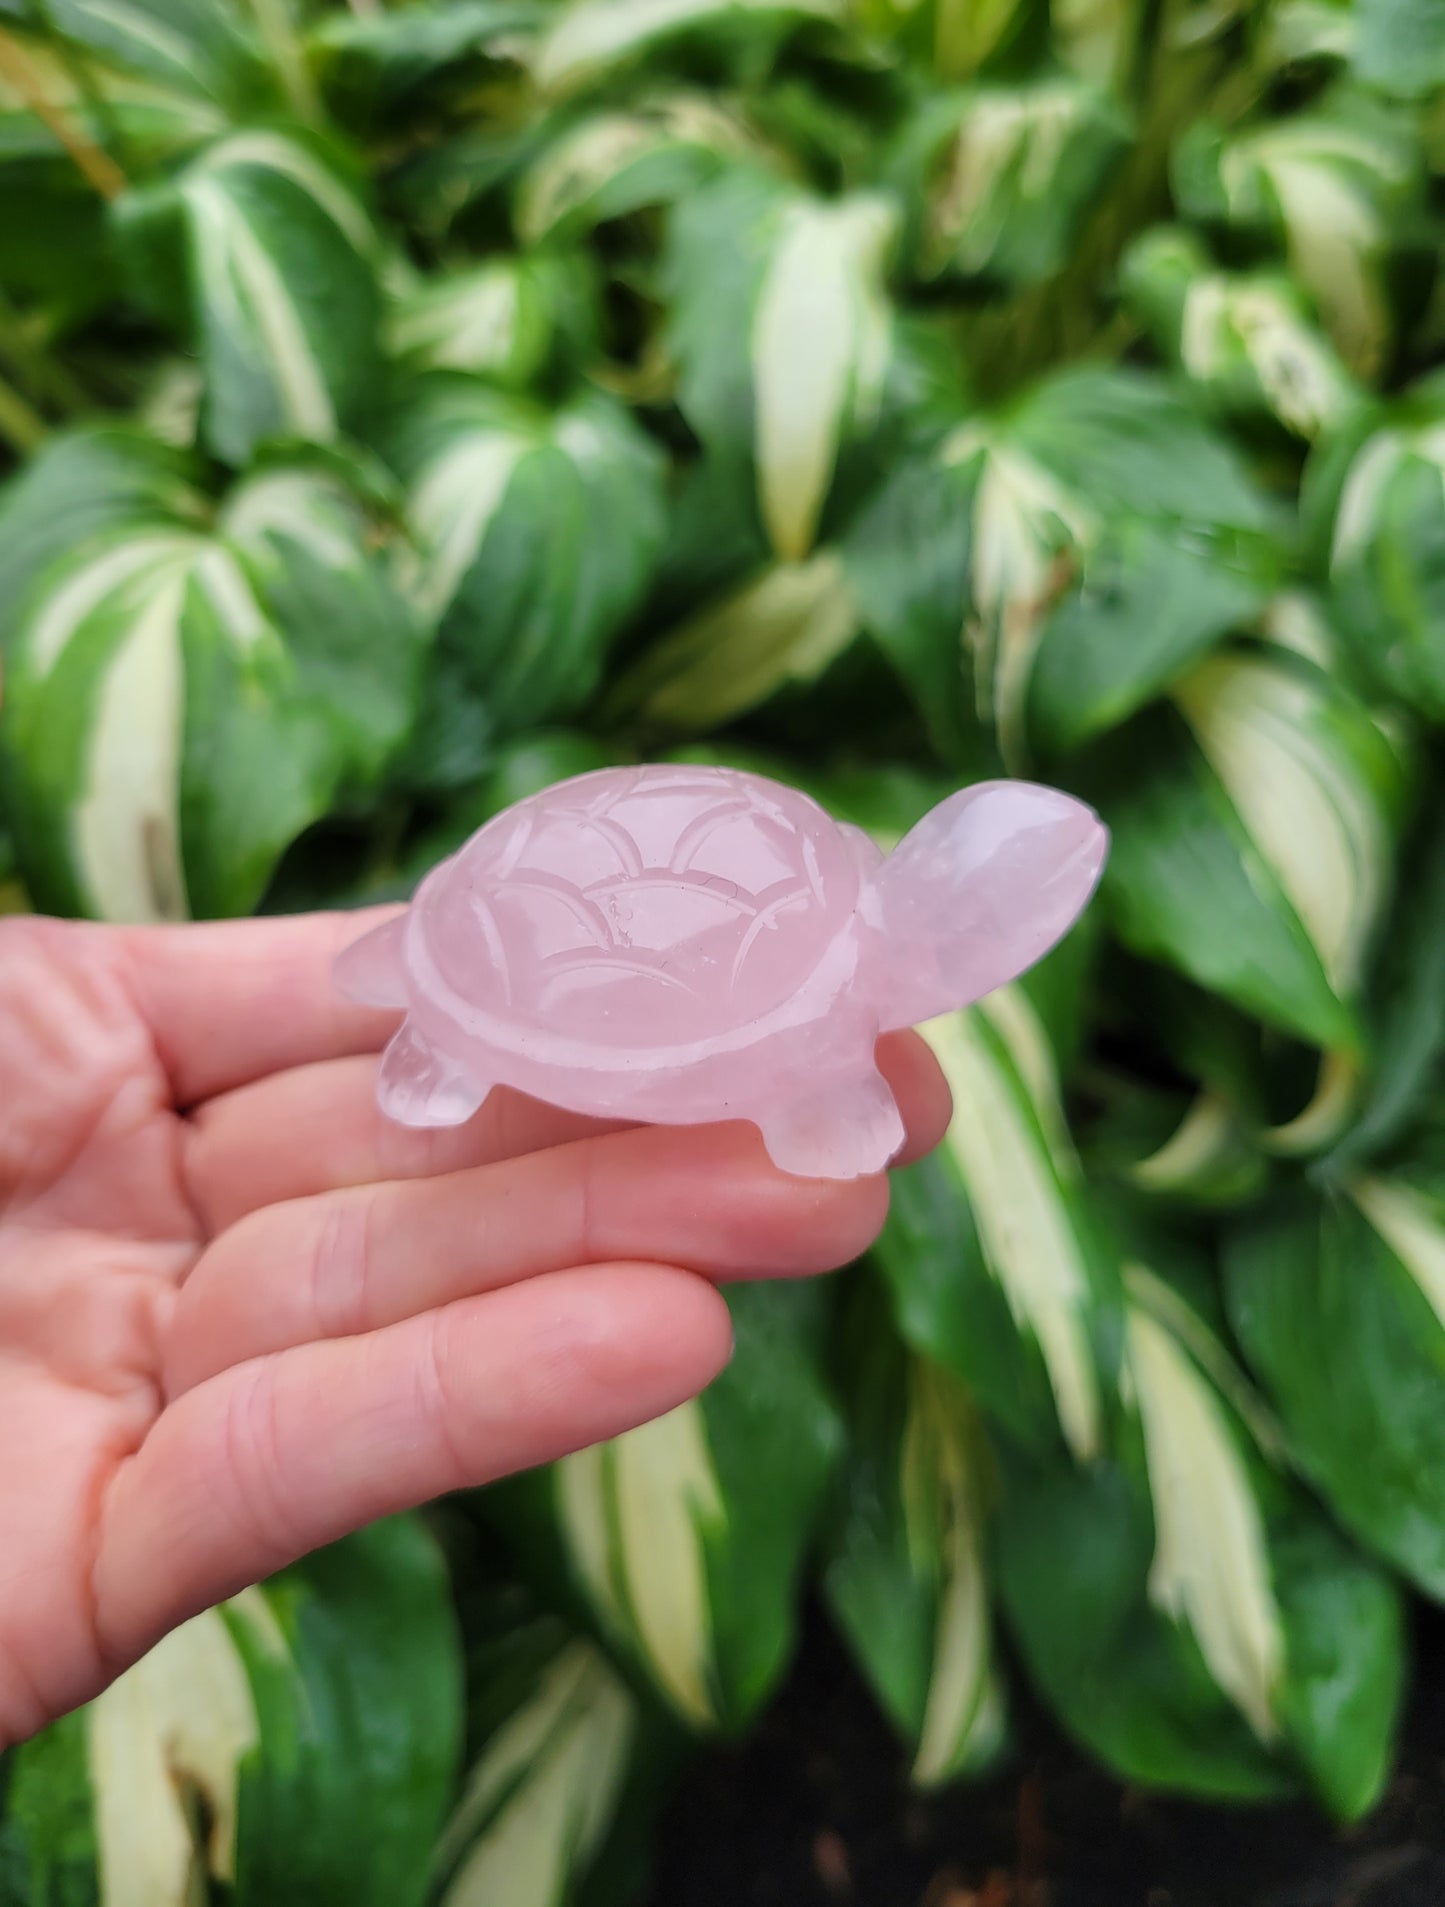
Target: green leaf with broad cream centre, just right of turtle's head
1253, 846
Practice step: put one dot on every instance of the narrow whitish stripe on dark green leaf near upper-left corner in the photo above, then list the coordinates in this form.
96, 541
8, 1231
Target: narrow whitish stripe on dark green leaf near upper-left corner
253, 298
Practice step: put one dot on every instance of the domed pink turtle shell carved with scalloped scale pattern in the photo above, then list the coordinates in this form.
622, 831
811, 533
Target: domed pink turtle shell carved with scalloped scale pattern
641, 907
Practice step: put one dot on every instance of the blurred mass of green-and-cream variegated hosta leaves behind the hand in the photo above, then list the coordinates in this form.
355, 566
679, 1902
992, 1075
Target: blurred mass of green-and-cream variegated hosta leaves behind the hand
411, 405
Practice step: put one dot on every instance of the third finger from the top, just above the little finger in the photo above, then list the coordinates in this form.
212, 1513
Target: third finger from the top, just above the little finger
365, 1258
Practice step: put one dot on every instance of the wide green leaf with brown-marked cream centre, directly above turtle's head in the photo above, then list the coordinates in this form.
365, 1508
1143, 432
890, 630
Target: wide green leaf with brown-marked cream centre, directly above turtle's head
1093, 533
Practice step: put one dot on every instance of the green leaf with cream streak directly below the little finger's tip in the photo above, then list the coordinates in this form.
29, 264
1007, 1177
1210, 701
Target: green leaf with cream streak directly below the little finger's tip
685, 1540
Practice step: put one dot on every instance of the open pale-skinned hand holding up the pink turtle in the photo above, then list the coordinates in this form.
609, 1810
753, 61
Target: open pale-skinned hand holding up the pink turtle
241, 1315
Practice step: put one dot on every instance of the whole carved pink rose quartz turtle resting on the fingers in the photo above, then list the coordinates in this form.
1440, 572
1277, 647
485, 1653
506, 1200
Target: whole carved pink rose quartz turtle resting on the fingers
683, 945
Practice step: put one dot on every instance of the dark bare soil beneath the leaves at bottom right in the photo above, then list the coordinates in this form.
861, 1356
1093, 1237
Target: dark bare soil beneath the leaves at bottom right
813, 1813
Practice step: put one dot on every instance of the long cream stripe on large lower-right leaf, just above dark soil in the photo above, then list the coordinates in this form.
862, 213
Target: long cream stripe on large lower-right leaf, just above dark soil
1211, 1565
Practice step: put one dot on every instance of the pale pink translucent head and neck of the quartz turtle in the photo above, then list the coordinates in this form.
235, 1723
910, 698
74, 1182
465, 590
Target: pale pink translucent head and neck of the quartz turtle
979, 892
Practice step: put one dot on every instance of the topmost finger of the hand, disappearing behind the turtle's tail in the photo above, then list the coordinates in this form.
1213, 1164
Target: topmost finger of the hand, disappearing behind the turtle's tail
232, 1002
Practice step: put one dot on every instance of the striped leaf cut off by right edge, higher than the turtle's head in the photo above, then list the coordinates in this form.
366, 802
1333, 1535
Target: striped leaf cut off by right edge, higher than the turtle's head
1377, 508
